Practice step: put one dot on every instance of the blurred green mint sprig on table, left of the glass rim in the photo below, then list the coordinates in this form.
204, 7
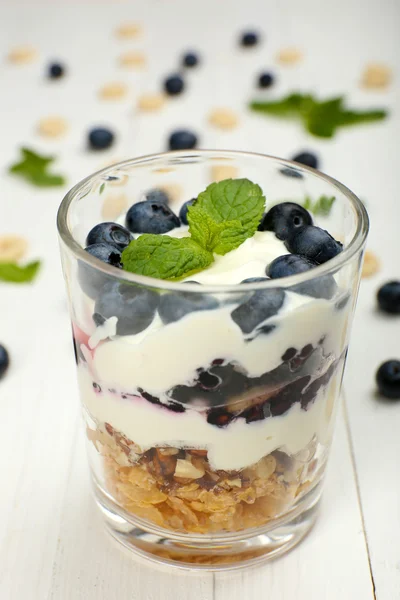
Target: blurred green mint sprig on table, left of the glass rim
34, 168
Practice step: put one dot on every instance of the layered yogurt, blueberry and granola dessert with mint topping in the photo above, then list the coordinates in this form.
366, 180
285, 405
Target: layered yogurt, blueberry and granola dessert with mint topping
210, 408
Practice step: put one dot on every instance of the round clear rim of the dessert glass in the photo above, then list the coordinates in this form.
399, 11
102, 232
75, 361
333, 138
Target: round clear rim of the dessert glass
327, 268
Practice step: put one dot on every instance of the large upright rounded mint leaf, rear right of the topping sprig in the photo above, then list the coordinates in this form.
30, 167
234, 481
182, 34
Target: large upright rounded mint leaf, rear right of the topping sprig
234, 199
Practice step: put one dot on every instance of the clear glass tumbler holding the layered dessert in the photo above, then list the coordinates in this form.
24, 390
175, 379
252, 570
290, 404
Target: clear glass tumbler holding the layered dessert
209, 422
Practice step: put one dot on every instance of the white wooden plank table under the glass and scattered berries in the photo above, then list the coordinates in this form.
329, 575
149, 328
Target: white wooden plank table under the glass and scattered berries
52, 544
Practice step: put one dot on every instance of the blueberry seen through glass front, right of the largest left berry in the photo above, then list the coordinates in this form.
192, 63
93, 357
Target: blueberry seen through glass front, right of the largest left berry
176, 306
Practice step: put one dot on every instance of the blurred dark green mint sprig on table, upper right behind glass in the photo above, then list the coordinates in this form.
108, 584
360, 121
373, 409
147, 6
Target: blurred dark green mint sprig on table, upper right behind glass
320, 118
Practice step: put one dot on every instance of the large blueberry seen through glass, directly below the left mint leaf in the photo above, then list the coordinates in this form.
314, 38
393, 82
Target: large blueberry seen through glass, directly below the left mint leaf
133, 305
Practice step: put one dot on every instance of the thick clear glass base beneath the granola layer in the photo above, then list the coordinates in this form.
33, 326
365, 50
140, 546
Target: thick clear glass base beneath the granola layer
213, 552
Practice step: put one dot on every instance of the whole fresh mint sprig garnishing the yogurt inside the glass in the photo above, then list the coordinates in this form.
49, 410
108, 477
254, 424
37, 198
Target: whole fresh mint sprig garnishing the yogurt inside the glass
222, 218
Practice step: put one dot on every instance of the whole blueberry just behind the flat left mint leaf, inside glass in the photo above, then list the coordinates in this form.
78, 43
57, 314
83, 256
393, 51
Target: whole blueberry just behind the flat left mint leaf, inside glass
151, 217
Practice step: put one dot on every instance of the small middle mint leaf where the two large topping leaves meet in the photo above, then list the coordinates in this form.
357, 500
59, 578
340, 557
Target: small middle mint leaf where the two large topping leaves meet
214, 237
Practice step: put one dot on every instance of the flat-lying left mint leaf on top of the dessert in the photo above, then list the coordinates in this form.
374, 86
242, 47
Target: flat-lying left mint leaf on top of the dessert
165, 257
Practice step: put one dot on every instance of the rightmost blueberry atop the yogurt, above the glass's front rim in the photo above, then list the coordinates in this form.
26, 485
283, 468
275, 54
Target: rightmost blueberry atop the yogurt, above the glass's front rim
314, 243
